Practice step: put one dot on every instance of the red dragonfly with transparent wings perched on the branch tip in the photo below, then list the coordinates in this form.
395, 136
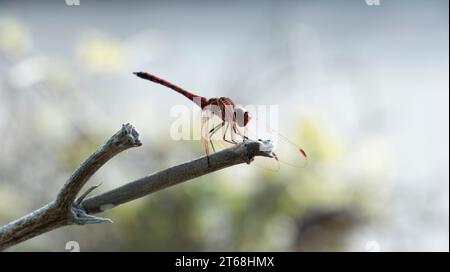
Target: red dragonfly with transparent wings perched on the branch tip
231, 115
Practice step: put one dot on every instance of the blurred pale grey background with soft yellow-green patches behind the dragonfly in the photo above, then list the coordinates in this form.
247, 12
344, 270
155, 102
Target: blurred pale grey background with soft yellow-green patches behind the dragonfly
363, 88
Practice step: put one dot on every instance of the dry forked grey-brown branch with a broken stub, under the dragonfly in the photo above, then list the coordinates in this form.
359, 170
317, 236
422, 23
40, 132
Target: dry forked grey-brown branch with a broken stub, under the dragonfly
66, 209
